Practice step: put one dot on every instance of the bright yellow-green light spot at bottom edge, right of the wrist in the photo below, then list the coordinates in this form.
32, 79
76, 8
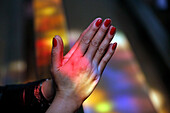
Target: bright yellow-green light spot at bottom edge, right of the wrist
104, 107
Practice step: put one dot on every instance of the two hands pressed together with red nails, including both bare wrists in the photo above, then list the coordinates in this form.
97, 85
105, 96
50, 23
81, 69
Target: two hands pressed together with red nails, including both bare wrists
75, 75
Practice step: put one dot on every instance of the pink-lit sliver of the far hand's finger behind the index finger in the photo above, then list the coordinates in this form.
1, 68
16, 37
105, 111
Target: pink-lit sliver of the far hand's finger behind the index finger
68, 55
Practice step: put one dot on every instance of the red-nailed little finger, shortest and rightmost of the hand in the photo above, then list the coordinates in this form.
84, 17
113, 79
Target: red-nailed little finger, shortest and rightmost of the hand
107, 57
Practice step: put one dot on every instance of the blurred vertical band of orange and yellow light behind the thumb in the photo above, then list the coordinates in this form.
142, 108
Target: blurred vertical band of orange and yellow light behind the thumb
49, 21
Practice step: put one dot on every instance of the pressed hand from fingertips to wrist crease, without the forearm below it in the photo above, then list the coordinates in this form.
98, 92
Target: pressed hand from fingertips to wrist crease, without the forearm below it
77, 73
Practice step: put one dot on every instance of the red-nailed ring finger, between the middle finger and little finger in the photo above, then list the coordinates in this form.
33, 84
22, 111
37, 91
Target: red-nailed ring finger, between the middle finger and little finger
104, 45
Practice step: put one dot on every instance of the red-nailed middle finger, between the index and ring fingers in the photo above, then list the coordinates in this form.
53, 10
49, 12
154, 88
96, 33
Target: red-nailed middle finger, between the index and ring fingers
94, 44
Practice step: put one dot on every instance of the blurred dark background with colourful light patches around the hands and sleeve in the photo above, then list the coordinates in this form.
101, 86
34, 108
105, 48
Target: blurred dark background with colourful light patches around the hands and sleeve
136, 80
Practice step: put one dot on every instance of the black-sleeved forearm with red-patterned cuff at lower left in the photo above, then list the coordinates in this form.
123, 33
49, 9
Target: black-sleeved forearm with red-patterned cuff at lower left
22, 98
